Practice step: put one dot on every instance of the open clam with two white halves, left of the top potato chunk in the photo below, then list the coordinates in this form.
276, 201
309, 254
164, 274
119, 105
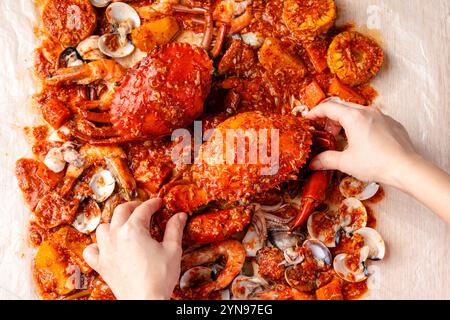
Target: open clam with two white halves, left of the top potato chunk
124, 19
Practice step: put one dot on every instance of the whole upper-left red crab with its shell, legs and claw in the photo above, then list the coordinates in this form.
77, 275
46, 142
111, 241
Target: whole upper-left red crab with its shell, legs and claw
165, 91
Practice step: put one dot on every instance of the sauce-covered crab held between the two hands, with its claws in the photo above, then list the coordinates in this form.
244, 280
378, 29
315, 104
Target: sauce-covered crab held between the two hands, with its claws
233, 183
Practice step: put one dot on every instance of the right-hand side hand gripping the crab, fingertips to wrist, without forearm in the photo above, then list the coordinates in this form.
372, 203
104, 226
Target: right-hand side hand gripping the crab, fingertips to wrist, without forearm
377, 144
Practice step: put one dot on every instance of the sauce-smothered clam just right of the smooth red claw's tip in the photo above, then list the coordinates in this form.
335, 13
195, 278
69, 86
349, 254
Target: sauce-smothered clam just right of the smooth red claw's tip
324, 227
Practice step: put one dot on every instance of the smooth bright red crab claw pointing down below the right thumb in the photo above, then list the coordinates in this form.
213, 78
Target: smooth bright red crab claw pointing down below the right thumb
314, 192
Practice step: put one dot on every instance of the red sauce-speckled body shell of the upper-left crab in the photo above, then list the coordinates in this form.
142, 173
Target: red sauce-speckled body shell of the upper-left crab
165, 91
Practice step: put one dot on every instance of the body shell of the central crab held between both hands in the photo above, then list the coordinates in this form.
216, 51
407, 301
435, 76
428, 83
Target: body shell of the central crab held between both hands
232, 182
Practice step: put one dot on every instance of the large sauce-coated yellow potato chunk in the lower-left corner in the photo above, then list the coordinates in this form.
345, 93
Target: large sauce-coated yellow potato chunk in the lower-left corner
56, 260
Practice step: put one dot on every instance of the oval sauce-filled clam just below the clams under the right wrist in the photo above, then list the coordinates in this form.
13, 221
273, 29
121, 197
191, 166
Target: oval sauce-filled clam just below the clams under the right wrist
353, 215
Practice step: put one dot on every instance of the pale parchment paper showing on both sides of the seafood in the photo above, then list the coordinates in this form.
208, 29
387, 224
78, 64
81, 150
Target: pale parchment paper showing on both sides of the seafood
413, 88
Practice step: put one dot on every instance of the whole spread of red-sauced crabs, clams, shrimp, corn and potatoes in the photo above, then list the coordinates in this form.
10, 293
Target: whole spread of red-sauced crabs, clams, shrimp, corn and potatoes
117, 80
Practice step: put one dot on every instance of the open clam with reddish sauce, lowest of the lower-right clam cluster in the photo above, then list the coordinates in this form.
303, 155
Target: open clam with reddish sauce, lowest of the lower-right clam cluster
357, 272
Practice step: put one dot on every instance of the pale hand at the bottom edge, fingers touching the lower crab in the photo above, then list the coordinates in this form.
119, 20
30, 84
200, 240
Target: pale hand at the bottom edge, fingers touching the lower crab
134, 265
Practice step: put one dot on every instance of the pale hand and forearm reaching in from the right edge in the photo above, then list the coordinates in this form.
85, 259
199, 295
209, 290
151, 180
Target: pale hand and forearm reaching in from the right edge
380, 150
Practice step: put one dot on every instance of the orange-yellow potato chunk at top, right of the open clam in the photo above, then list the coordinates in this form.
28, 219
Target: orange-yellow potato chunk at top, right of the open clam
155, 33
